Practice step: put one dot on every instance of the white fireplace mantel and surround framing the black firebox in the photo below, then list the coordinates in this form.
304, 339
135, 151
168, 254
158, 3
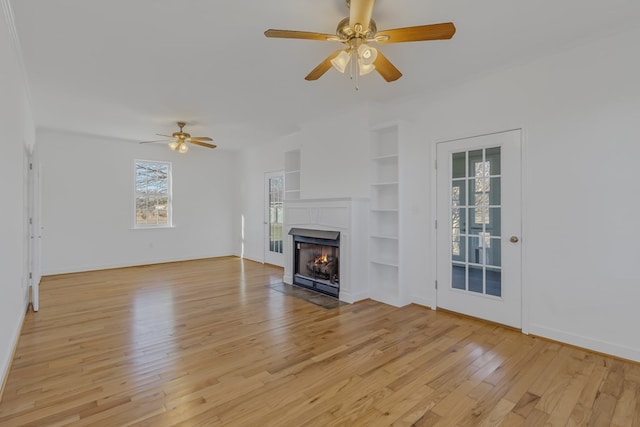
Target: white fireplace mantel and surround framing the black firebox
349, 216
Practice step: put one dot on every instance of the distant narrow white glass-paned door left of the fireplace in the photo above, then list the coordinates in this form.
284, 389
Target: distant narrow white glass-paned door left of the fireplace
274, 218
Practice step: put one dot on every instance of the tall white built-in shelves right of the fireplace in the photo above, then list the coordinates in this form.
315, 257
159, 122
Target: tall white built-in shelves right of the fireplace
384, 267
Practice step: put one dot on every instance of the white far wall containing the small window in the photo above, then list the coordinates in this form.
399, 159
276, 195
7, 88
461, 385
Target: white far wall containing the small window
87, 204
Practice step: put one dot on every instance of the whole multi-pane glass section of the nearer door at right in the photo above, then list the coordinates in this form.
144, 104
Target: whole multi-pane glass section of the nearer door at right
476, 256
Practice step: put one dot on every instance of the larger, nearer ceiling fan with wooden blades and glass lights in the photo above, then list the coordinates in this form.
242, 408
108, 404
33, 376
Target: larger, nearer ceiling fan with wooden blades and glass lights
357, 32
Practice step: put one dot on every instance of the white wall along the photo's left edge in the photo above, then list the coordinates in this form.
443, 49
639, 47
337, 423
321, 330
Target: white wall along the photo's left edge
15, 134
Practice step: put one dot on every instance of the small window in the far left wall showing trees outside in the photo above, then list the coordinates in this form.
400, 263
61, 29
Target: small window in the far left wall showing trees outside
152, 194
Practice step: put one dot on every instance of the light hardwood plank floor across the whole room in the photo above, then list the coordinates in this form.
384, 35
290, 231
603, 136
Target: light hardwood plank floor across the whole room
207, 342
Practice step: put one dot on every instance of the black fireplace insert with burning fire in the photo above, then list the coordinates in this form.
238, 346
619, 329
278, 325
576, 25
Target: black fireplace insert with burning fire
316, 260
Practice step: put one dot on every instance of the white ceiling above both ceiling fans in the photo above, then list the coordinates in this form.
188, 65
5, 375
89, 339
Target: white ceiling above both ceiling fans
131, 68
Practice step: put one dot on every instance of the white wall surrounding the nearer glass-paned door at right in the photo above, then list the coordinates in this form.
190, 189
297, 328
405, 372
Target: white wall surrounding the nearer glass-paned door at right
579, 111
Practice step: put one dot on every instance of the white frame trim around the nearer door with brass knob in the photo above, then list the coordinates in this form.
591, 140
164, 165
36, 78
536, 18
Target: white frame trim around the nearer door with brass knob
434, 188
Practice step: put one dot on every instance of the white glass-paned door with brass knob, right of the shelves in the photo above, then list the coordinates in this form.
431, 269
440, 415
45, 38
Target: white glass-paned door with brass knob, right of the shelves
479, 222
